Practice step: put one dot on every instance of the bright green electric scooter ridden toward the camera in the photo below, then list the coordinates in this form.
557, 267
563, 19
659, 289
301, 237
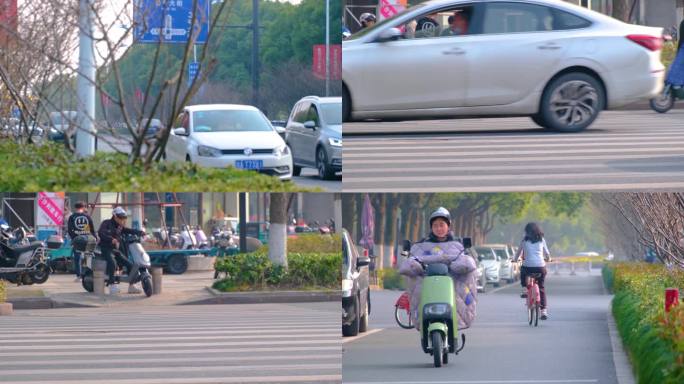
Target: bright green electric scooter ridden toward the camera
437, 311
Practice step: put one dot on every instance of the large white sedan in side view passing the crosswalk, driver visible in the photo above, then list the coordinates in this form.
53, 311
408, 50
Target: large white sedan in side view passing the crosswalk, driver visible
558, 63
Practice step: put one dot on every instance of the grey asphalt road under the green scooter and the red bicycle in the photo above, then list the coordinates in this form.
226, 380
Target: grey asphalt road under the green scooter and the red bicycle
573, 346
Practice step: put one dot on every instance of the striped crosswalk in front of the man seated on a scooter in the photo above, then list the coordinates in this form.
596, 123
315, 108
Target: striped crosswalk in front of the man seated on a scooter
260, 343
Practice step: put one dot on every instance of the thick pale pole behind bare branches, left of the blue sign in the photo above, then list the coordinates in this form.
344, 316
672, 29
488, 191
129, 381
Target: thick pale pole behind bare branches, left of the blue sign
85, 134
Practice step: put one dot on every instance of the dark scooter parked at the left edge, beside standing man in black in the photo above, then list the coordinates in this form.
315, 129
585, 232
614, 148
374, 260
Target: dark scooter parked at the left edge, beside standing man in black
22, 261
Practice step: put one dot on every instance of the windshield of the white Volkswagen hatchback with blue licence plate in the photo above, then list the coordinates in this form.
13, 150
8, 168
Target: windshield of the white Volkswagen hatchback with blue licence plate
230, 121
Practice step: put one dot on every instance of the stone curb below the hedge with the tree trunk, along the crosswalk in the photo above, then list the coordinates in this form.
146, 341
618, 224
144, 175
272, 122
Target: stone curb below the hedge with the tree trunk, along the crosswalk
267, 297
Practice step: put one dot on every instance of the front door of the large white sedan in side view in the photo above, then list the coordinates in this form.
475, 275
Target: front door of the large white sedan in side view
416, 72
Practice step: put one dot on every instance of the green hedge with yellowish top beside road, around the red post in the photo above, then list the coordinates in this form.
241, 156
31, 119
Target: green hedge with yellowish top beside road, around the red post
654, 340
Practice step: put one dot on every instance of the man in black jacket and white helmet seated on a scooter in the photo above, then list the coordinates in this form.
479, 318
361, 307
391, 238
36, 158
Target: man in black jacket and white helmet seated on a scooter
110, 239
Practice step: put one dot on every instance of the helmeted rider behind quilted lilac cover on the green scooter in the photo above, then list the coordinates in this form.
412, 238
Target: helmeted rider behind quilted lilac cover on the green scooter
440, 246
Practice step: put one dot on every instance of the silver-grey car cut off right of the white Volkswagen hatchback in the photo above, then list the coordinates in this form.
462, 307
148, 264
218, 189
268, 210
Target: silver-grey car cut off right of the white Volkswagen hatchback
314, 134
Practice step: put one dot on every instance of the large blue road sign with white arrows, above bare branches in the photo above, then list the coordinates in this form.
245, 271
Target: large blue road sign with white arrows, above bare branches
169, 21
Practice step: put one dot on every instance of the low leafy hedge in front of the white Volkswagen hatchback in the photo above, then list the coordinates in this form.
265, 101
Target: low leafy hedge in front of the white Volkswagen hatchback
49, 167
